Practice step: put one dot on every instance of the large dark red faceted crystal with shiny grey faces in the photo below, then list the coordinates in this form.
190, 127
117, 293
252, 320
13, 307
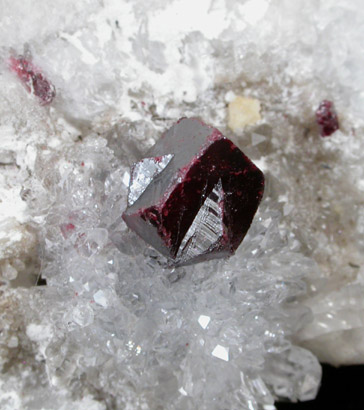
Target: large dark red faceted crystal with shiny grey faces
195, 196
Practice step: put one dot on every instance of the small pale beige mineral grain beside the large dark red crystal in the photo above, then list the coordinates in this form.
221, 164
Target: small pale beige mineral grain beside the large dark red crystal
243, 111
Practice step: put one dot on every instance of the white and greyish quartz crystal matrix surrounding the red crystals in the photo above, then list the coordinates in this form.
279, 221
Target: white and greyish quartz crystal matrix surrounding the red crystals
114, 328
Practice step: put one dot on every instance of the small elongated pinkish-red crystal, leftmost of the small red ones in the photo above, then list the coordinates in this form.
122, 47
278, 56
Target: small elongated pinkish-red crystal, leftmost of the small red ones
33, 80
